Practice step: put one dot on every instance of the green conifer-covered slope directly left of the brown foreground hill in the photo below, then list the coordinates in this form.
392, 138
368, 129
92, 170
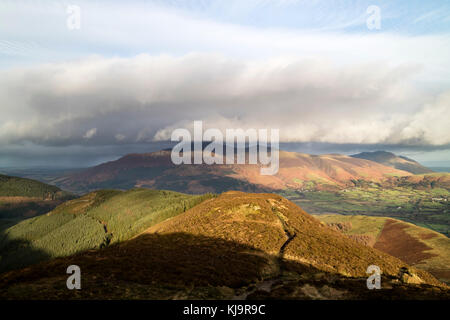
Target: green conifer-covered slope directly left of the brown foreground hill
90, 222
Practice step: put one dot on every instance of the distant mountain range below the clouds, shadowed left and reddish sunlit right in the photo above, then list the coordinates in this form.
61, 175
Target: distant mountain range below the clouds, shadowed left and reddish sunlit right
297, 171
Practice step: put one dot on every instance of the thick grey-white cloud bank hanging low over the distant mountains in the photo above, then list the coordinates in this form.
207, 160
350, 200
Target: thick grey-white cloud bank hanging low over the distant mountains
107, 101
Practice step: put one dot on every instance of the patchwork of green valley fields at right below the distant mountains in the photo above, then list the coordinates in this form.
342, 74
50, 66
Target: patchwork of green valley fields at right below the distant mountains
427, 208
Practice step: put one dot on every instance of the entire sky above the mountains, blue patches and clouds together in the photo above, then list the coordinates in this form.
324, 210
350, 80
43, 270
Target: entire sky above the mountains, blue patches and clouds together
348, 75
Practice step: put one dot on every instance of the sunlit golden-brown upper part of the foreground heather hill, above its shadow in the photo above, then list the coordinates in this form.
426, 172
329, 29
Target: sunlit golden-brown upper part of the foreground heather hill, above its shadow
267, 221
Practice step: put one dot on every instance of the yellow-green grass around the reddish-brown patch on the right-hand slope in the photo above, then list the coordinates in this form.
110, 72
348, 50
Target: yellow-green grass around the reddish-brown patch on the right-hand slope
439, 245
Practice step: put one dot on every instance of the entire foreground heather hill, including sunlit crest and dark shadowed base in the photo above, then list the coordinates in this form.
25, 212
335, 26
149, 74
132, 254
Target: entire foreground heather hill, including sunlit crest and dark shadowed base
235, 246
